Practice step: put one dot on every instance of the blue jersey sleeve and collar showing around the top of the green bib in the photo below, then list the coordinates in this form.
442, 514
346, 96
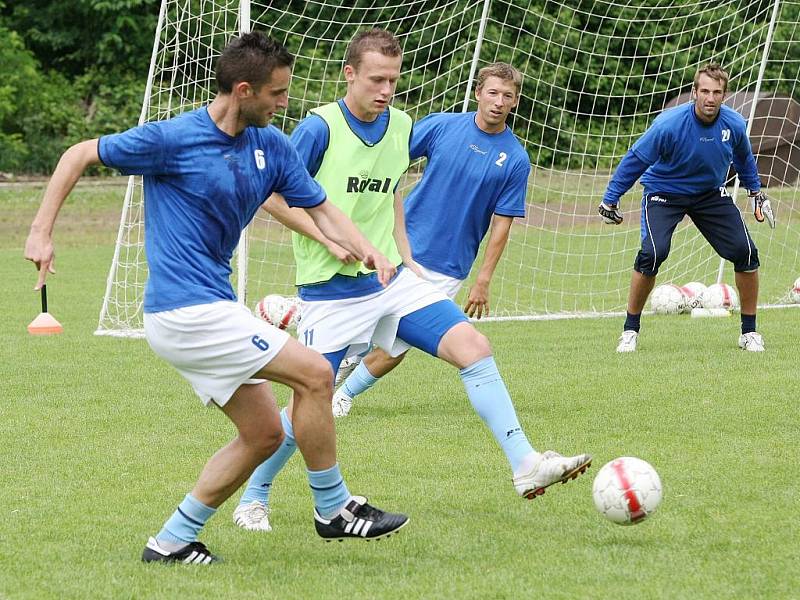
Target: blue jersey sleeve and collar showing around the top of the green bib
311, 136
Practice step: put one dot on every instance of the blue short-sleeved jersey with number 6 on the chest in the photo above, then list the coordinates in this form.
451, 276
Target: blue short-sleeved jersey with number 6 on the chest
201, 188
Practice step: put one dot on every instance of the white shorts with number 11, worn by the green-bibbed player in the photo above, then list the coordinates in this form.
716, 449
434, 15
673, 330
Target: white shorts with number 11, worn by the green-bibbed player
330, 325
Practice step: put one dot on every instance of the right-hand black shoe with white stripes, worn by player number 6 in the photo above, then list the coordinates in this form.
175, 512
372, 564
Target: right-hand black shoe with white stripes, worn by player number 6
359, 520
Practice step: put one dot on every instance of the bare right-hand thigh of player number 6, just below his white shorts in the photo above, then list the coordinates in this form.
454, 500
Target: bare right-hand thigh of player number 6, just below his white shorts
300, 368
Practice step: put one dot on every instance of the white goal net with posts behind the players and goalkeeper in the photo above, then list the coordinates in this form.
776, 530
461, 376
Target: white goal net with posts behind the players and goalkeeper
596, 73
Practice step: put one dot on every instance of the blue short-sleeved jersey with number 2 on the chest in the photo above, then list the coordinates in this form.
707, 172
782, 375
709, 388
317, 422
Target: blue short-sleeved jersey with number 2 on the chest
470, 176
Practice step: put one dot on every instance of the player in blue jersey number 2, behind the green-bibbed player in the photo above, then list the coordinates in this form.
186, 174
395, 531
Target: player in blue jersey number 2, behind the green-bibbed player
475, 158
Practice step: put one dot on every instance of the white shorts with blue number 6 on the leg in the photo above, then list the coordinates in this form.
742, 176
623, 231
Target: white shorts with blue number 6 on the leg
217, 347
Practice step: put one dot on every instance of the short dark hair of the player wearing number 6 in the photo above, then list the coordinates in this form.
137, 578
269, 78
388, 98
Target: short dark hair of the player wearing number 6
252, 57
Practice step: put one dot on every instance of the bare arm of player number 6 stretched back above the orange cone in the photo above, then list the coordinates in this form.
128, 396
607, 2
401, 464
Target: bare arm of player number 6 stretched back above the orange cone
39, 247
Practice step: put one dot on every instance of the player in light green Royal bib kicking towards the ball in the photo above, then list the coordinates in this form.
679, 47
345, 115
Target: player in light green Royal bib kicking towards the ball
358, 148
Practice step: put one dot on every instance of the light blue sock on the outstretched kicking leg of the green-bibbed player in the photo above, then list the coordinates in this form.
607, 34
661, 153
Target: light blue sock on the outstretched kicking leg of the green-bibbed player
491, 401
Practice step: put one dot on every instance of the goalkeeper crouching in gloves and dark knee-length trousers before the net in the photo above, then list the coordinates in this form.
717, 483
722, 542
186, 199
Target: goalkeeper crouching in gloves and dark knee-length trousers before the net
682, 161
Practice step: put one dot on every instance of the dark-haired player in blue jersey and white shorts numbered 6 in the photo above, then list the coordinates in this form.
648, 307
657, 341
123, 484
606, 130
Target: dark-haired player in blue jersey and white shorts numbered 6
206, 173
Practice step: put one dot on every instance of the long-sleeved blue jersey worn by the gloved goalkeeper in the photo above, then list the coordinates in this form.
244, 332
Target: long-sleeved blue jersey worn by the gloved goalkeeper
679, 154
